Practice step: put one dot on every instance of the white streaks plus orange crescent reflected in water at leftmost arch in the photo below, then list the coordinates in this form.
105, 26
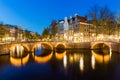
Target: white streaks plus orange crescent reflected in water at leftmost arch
18, 57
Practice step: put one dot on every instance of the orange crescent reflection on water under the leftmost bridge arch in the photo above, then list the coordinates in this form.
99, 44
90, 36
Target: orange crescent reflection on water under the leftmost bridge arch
19, 61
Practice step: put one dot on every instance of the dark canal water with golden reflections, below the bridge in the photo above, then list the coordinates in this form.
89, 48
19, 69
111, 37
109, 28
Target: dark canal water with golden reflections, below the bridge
82, 64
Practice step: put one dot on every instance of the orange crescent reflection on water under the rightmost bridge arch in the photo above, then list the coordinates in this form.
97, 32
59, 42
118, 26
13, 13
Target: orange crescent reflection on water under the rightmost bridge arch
102, 58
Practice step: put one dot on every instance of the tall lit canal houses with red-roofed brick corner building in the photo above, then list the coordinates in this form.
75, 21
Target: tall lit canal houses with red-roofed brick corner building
75, 29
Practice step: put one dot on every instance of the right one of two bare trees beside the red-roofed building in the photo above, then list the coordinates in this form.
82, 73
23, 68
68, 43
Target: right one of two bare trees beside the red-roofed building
107, 20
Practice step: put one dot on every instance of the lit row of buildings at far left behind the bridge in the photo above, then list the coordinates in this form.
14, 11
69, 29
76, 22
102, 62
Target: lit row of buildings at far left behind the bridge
13, 33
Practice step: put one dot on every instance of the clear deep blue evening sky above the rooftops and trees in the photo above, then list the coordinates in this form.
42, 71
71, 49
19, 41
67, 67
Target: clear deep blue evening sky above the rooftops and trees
34, 15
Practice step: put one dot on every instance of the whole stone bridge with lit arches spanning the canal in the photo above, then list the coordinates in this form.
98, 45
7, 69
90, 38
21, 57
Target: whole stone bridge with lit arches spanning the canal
30, 46
